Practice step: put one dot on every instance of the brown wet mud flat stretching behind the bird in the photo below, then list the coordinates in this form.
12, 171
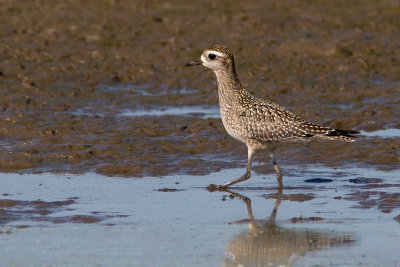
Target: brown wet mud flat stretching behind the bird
70, 72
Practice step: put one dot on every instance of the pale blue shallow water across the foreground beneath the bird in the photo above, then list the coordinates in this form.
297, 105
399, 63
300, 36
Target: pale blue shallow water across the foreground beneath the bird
174, 221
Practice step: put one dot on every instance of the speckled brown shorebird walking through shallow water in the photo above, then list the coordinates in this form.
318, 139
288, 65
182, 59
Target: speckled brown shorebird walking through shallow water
259, 123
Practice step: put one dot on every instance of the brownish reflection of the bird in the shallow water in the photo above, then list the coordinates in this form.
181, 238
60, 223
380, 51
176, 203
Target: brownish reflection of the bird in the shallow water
268, 244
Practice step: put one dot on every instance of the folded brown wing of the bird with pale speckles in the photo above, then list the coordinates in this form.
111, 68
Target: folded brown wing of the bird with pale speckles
269, 122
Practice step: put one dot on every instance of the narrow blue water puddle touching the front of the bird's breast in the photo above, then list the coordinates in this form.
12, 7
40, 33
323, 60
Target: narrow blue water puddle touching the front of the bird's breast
197, 111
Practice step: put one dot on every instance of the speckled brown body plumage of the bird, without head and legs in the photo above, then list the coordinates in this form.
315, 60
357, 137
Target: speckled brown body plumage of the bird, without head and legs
246, 117
